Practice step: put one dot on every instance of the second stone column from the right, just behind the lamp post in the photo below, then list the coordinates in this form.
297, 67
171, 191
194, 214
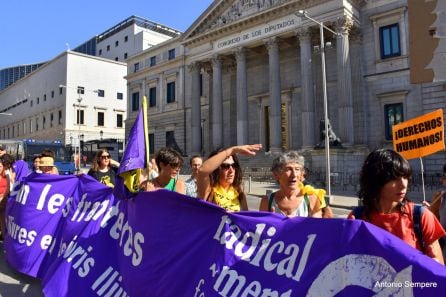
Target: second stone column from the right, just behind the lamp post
308, 104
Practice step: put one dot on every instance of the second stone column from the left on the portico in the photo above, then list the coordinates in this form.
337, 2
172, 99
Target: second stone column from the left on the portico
217, 103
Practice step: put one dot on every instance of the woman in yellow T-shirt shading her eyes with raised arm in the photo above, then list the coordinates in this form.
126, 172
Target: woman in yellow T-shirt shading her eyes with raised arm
220, 177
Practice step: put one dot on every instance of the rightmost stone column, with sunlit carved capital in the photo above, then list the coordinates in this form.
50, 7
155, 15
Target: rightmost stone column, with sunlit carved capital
344, 83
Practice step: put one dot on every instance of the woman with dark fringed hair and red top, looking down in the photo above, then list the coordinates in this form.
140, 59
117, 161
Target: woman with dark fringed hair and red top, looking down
383, 182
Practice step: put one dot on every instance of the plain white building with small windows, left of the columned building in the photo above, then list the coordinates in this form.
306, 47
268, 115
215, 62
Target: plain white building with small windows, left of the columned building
72, 96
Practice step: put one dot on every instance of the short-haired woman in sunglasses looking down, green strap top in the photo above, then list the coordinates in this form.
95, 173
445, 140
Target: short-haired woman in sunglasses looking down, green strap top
169, 163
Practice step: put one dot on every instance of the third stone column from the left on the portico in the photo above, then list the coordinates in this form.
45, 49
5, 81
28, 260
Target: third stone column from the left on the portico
242, 97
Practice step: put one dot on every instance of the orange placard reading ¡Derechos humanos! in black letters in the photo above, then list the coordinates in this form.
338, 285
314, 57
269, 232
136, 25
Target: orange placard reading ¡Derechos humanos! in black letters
421, 136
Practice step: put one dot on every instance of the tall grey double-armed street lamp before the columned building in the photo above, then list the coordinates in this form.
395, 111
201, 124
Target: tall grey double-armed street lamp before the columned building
303, 13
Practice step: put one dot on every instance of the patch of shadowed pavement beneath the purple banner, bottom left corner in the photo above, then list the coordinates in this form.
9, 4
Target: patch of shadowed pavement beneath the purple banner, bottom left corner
13, 283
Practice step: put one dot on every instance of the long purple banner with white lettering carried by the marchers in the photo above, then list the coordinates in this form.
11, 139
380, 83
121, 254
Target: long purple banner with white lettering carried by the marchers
81, 241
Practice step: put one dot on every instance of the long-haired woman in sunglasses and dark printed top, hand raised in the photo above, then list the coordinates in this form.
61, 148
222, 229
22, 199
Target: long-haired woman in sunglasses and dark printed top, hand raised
102, 169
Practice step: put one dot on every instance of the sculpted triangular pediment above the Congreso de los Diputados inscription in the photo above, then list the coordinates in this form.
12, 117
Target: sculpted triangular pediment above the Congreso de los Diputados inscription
222, 13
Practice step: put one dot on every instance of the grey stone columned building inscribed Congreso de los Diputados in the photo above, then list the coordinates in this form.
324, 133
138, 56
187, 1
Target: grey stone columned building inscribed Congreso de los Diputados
250, 71
